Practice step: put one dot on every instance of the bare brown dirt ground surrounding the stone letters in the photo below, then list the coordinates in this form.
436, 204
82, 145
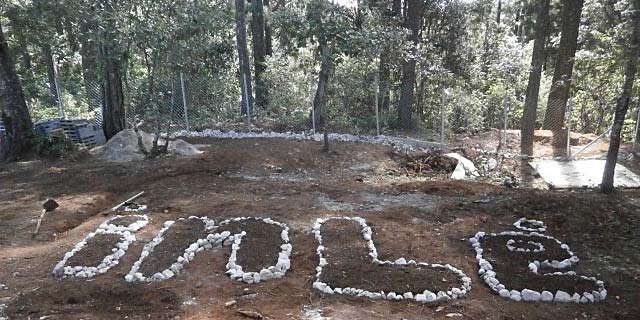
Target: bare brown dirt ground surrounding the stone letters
294, 183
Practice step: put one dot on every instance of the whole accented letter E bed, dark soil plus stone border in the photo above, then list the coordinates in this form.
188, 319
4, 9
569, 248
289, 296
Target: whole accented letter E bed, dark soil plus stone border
520, 260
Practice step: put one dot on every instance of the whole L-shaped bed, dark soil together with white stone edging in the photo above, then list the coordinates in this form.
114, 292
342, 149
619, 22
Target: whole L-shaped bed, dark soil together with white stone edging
423, 271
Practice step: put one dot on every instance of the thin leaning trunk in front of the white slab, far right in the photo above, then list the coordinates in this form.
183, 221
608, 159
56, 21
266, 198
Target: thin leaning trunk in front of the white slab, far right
622, 105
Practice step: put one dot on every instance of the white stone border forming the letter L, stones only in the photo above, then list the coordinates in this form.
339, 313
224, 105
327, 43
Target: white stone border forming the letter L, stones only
424, 297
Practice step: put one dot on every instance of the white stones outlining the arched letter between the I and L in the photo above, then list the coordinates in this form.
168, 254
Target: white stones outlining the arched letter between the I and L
212, 240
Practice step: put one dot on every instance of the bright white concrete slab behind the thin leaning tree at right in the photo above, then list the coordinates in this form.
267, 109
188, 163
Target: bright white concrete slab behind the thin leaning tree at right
582, 174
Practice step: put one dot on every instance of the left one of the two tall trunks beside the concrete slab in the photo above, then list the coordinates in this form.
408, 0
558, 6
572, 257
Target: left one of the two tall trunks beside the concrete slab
533, 87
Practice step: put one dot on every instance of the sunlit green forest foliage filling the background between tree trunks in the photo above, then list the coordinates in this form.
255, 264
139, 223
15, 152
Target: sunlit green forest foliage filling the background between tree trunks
463, 50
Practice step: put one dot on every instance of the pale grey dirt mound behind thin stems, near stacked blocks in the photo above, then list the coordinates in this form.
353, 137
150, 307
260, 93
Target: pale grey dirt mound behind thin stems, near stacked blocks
123, 147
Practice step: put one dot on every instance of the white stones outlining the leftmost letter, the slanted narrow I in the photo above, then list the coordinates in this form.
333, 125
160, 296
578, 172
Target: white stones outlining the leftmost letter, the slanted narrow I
109, 227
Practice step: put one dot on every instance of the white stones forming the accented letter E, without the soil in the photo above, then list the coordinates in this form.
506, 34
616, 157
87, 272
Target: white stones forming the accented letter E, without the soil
532, 247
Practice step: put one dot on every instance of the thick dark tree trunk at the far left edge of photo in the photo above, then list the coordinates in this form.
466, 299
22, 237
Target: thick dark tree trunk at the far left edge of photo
13, 108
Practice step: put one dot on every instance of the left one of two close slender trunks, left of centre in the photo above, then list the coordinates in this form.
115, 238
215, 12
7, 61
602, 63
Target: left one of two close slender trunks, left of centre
243, 57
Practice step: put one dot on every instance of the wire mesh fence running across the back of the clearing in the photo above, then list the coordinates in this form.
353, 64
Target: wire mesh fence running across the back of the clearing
194, 101
